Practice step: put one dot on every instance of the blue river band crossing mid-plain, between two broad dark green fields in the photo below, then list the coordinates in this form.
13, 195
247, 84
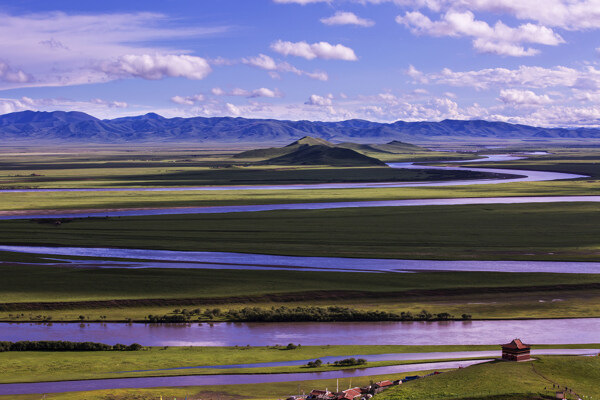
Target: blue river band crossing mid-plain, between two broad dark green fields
223, 260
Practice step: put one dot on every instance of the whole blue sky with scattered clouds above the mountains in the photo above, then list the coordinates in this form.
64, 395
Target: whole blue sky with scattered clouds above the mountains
525, 61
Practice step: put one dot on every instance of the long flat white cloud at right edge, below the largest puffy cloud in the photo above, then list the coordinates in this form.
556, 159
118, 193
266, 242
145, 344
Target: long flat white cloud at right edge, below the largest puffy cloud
524, 76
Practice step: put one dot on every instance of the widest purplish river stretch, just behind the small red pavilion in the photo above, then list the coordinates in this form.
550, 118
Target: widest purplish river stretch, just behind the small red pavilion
544, 331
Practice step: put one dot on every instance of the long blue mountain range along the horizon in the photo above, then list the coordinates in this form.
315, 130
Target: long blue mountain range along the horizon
77, 127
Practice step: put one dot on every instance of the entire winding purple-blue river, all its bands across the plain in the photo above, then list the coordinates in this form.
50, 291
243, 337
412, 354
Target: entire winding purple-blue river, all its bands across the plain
257, 334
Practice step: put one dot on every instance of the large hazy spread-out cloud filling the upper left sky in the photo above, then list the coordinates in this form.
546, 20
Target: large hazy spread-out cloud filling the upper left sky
66, 49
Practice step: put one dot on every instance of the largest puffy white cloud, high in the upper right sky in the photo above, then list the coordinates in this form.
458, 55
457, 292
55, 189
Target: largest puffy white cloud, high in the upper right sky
499, 39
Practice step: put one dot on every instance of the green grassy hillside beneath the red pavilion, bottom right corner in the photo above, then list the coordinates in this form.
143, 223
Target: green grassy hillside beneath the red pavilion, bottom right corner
507, 381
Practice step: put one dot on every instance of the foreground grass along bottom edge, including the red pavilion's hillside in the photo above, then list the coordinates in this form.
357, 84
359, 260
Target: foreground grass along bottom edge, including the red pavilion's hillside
497, 381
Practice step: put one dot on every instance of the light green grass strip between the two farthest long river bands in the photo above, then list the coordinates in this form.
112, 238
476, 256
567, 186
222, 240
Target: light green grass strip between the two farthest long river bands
48, 201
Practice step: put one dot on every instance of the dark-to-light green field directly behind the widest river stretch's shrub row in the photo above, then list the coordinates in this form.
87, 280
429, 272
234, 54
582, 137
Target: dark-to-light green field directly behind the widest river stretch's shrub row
122, 294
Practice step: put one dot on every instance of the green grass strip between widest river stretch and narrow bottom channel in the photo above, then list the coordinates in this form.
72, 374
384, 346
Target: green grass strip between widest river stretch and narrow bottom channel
59, 366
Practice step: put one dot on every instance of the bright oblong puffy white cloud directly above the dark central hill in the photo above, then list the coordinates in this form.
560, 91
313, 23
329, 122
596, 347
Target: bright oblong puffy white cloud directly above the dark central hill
322, 50
